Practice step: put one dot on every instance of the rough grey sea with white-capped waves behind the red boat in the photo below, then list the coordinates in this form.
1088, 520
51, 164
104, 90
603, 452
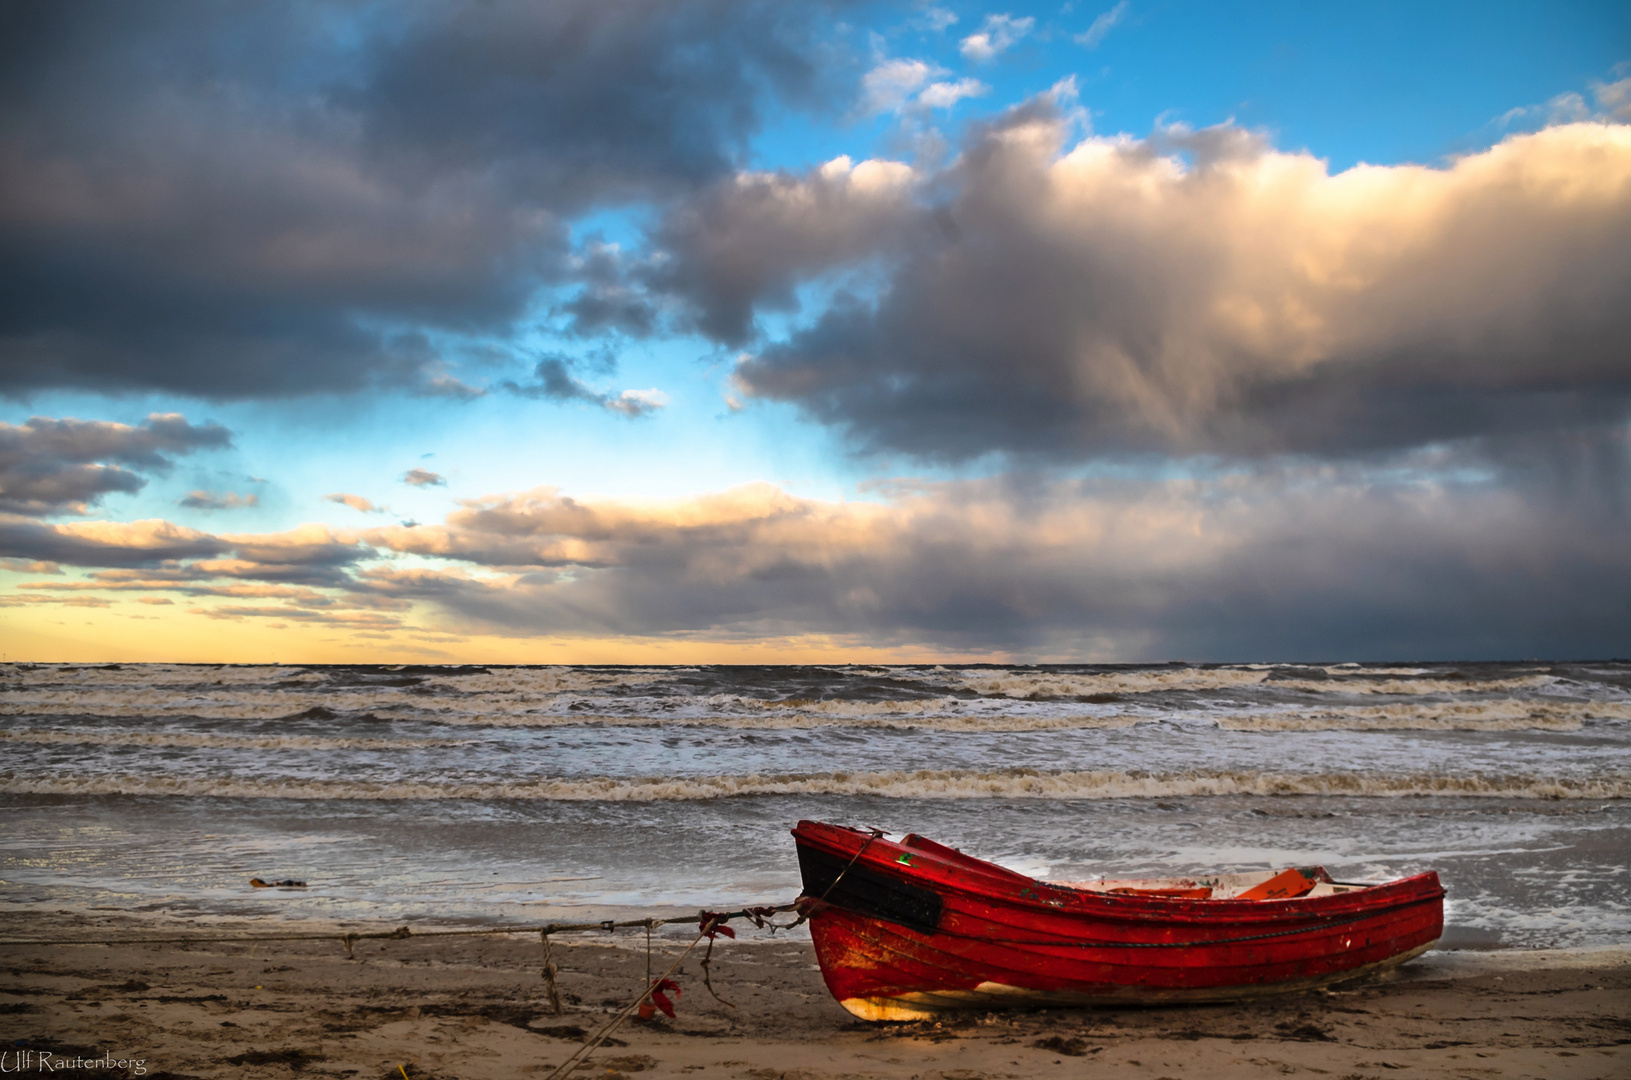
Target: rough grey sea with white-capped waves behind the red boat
467, 795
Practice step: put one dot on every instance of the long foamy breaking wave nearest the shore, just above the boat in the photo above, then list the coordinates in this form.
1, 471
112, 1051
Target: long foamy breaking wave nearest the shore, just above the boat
1014, 784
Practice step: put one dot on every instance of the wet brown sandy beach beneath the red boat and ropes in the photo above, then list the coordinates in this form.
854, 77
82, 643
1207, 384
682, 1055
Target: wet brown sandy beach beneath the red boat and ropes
475, 1009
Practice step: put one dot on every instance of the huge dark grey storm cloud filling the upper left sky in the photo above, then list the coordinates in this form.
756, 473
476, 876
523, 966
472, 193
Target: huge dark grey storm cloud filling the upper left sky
249, 200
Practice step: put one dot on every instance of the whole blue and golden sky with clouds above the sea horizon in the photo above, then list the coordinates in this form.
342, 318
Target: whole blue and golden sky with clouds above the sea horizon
815, 332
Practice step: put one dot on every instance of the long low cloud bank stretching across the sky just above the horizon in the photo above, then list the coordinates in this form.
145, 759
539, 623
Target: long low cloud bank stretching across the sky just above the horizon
1449, 552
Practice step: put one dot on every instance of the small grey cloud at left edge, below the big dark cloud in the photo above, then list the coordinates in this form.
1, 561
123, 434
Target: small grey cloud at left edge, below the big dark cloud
68, 466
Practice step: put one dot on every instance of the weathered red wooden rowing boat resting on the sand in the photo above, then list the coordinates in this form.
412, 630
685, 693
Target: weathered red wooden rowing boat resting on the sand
908, 931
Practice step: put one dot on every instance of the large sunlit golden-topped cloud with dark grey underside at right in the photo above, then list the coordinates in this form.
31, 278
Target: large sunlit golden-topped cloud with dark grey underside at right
1196, 293
